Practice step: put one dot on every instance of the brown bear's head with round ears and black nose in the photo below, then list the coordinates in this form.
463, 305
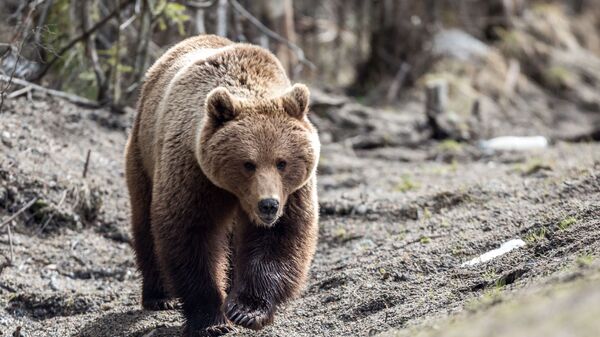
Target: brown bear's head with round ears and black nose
259, 150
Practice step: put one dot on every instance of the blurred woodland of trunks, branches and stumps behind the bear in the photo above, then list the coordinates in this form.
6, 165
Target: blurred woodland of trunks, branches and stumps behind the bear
482, 67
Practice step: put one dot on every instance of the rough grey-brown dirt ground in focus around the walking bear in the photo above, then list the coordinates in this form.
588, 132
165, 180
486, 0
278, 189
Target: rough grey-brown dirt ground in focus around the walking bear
397, 223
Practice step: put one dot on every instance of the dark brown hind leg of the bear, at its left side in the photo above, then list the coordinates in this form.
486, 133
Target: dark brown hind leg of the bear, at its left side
154, 294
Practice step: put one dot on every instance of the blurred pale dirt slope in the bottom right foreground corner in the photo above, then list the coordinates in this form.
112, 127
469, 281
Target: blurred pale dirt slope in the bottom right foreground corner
565, 309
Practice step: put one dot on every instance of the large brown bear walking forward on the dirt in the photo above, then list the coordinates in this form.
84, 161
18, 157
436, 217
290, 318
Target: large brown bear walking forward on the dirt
221, 169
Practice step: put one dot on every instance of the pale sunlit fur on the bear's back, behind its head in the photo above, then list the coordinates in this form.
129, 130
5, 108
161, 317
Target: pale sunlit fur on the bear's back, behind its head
177, 84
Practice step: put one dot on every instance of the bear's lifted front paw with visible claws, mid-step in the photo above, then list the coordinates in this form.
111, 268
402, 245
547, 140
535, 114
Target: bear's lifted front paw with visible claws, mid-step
248, 316
